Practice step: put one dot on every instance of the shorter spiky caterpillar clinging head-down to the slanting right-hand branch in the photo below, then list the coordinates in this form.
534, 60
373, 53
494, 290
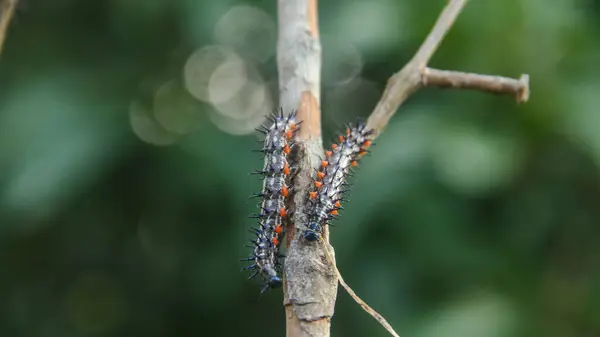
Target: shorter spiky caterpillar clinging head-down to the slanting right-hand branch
330, 179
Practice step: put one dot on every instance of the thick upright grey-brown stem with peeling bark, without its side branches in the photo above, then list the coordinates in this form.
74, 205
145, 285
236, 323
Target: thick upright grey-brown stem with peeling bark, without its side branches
310, 285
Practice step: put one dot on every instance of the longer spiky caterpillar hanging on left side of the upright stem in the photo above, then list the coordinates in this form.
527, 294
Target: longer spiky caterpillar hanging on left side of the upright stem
277, 147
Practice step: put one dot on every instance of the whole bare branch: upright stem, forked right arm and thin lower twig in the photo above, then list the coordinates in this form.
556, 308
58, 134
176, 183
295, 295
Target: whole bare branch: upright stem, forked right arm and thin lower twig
311, 278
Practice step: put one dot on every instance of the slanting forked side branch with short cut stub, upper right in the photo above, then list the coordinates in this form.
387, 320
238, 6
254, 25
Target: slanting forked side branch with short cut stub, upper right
415, 75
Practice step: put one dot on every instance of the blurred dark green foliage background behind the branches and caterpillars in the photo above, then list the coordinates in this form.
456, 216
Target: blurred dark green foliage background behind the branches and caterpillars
125, 132
